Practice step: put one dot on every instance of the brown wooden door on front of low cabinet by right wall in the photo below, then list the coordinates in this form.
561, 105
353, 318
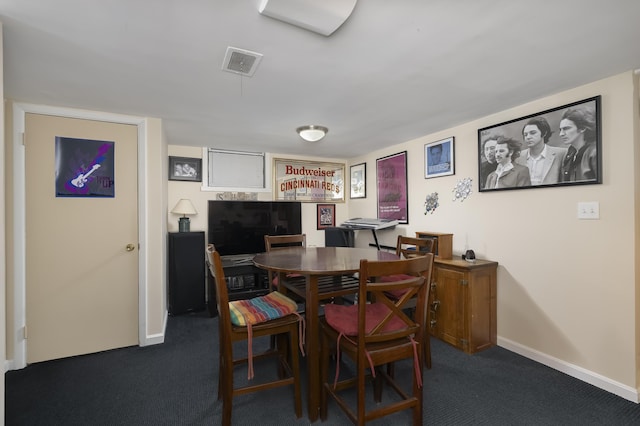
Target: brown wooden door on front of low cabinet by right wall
450, 313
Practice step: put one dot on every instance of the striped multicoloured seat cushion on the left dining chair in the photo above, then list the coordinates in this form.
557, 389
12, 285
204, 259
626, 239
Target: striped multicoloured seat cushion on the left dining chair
260, 309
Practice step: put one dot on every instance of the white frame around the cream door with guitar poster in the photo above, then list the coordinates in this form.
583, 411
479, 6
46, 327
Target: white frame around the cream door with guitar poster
19, 211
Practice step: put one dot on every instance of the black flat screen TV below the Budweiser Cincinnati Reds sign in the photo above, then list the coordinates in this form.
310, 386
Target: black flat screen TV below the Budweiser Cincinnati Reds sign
239, 227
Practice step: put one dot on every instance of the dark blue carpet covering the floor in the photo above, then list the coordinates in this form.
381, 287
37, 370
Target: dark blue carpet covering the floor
176, 384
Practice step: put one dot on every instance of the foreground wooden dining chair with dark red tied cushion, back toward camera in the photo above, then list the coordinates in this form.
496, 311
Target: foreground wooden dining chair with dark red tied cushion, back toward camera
383, 333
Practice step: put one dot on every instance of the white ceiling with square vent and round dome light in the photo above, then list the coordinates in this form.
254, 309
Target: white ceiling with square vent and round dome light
394, 71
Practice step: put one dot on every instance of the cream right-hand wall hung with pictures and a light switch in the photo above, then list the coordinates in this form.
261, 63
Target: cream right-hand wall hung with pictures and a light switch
566, 287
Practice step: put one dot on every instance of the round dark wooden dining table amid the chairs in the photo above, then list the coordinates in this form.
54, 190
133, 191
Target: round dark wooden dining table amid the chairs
313, 263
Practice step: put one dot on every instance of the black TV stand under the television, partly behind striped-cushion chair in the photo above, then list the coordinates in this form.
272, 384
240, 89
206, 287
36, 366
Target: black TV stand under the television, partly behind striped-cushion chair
244, 280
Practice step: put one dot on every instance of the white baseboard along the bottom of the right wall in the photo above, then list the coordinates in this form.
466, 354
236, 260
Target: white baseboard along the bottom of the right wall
595, 379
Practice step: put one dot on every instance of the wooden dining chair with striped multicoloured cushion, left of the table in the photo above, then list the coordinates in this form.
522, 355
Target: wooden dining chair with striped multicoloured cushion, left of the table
285, 351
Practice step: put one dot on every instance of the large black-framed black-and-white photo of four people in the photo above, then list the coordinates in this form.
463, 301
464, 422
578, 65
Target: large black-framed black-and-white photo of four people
557, 147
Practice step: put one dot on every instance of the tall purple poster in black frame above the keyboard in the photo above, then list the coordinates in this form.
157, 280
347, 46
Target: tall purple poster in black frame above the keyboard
391, 176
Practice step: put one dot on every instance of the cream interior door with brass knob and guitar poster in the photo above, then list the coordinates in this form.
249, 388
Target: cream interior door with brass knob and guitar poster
81, 252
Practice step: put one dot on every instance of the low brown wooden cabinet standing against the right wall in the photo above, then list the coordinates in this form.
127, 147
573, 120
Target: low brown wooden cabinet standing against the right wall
462, 303
